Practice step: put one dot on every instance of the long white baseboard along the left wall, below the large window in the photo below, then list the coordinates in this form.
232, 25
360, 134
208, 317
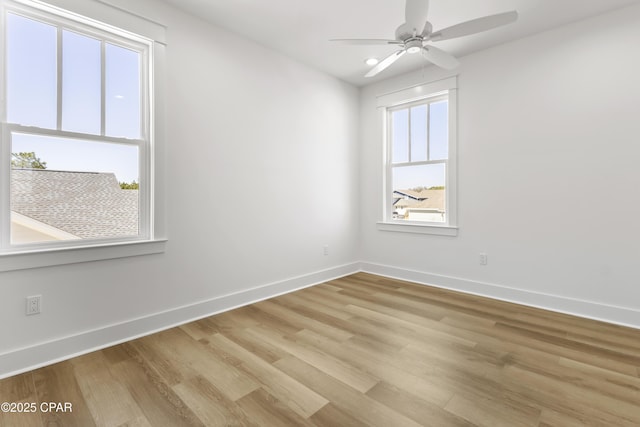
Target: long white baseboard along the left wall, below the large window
46, 353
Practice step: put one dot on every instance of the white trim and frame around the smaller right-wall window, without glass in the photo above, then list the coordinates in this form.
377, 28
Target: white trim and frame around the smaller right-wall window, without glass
405, 98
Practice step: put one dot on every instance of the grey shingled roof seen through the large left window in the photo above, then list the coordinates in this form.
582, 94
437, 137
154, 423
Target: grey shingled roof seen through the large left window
88, 205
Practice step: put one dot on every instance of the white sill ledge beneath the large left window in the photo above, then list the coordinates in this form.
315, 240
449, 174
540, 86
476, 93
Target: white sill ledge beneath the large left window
46, 258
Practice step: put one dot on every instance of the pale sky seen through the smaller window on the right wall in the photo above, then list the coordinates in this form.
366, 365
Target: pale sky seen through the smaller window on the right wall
419, 134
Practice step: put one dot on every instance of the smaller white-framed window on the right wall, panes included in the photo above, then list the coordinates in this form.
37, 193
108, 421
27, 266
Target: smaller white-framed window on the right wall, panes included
420, 169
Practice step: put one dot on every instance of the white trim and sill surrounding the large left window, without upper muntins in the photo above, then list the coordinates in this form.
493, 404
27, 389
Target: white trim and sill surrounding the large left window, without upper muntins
151, 239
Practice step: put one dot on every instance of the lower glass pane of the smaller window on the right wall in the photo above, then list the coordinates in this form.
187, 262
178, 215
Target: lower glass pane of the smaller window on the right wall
419, 193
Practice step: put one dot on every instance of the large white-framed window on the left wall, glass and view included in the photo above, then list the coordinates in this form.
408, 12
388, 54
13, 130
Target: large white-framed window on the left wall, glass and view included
77, 131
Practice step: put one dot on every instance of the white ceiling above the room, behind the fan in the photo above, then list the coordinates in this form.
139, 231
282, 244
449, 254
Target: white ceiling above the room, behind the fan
301, 28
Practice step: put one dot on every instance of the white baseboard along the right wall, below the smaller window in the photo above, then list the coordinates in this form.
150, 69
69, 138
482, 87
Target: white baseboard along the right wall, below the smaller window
587, 309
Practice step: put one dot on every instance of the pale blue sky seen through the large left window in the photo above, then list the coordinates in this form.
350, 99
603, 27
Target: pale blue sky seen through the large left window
32, 98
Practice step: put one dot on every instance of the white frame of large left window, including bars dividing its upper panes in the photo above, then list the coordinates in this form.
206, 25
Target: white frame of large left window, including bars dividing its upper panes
149, 239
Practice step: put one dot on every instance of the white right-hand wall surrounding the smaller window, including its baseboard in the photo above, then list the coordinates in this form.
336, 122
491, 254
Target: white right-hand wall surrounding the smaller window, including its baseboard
549, 145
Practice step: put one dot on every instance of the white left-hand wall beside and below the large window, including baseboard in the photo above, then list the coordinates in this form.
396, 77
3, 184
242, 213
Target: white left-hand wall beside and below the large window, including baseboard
260, 174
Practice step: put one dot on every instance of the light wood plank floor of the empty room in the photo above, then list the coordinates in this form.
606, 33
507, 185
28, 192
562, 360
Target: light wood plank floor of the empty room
358, 351
